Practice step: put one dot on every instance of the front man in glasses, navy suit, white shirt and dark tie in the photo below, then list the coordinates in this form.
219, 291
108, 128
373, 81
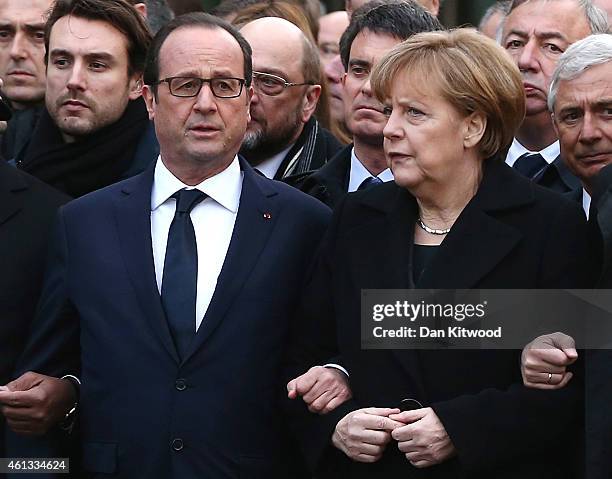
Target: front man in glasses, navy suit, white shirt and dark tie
158, 297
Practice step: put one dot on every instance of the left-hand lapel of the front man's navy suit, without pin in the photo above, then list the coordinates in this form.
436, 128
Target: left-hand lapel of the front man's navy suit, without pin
133, 214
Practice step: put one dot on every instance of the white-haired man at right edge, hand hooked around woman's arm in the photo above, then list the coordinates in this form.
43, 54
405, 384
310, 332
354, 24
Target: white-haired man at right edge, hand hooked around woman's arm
580, 95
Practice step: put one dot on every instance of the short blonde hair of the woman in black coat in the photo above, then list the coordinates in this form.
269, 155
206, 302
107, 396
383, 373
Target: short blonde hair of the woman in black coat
472, 72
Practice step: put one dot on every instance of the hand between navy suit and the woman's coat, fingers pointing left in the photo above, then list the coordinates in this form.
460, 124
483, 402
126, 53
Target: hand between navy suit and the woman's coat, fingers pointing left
322, 389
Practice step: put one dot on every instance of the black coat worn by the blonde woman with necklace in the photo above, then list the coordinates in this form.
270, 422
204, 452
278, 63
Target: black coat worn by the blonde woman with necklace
513, 234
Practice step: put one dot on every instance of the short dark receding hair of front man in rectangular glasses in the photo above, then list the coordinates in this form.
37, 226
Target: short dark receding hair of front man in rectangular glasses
195, 19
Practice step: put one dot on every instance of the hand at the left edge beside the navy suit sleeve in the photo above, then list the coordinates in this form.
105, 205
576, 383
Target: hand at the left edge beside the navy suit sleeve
33, 403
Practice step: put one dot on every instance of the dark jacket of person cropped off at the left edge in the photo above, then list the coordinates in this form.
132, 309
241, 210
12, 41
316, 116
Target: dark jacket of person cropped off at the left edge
27, 211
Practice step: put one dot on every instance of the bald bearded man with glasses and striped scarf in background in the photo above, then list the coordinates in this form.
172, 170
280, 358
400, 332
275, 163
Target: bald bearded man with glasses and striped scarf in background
283, 138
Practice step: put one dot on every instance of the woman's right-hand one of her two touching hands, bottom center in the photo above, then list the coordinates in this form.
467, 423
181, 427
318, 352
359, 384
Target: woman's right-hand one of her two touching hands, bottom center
422, 437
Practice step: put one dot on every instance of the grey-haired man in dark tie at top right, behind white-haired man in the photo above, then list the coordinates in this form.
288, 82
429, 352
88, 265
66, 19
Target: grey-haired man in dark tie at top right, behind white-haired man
535, 33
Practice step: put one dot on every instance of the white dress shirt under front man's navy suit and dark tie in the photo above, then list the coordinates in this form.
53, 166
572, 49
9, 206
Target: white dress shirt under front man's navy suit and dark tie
213, 221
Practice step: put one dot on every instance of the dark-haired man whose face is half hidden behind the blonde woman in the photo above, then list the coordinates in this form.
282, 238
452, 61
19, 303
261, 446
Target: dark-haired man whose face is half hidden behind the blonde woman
374, 30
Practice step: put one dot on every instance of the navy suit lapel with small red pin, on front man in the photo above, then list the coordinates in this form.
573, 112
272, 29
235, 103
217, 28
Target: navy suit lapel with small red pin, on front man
257, 215
